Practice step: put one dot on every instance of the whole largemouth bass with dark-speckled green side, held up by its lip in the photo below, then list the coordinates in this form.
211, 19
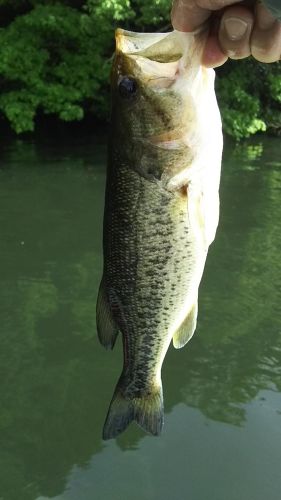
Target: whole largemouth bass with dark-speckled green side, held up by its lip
161, 211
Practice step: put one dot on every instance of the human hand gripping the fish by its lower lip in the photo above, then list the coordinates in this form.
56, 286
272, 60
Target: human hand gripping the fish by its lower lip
236, 30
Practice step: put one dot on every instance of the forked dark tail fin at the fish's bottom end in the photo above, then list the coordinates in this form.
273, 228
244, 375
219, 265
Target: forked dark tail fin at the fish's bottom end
147, 411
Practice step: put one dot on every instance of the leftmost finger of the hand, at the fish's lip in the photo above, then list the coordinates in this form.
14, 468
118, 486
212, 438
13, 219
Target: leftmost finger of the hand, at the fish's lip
188, 15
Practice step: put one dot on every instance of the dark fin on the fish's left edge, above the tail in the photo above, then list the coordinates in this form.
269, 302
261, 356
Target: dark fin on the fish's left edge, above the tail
106, 326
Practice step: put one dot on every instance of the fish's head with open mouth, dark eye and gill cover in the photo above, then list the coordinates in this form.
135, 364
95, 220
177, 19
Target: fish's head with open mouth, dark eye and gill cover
159, 90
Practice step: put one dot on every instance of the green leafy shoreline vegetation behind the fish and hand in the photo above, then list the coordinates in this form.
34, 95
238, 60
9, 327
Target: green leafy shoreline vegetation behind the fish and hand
55, 60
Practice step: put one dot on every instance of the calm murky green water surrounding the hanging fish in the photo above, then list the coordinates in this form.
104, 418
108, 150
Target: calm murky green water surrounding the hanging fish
222, 434
